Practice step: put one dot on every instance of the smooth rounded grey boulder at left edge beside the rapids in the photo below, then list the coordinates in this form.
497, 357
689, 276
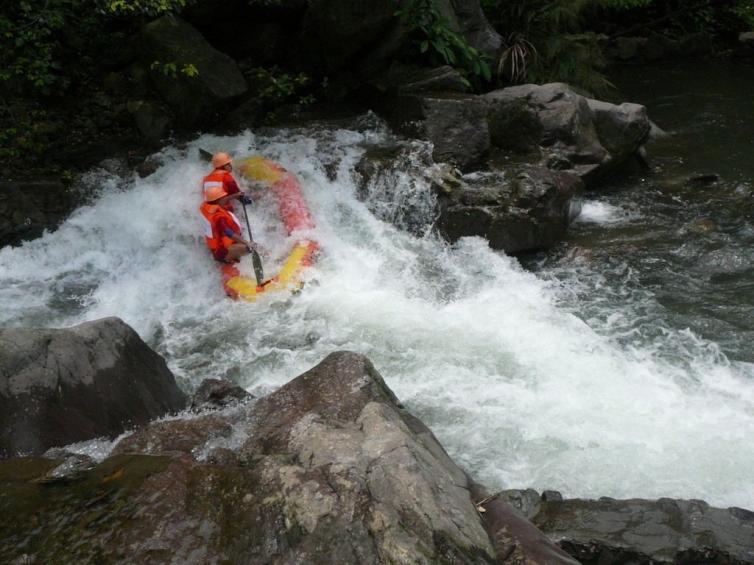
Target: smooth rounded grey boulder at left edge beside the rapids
62, 386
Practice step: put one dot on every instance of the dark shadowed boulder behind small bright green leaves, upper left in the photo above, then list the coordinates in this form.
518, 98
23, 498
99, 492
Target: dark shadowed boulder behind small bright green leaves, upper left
173, 41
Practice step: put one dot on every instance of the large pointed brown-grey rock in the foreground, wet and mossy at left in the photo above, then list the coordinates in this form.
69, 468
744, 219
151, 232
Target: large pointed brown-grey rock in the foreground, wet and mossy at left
328, 469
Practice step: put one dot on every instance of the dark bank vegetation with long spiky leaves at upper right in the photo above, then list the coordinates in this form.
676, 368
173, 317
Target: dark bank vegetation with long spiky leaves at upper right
560, 40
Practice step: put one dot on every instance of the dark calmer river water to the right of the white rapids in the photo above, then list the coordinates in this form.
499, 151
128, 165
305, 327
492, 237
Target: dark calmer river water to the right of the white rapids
667, 252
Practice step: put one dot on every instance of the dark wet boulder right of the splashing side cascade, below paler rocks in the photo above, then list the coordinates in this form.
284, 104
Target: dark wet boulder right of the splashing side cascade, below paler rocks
529, 212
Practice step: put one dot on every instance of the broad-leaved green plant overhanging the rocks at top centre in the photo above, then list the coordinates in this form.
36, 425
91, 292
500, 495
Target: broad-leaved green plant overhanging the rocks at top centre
439, 43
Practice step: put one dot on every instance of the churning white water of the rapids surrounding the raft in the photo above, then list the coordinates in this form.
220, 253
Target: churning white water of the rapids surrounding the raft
523, 386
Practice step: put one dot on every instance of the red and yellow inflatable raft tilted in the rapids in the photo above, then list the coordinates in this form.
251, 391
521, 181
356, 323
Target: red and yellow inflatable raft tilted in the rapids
295, 216
